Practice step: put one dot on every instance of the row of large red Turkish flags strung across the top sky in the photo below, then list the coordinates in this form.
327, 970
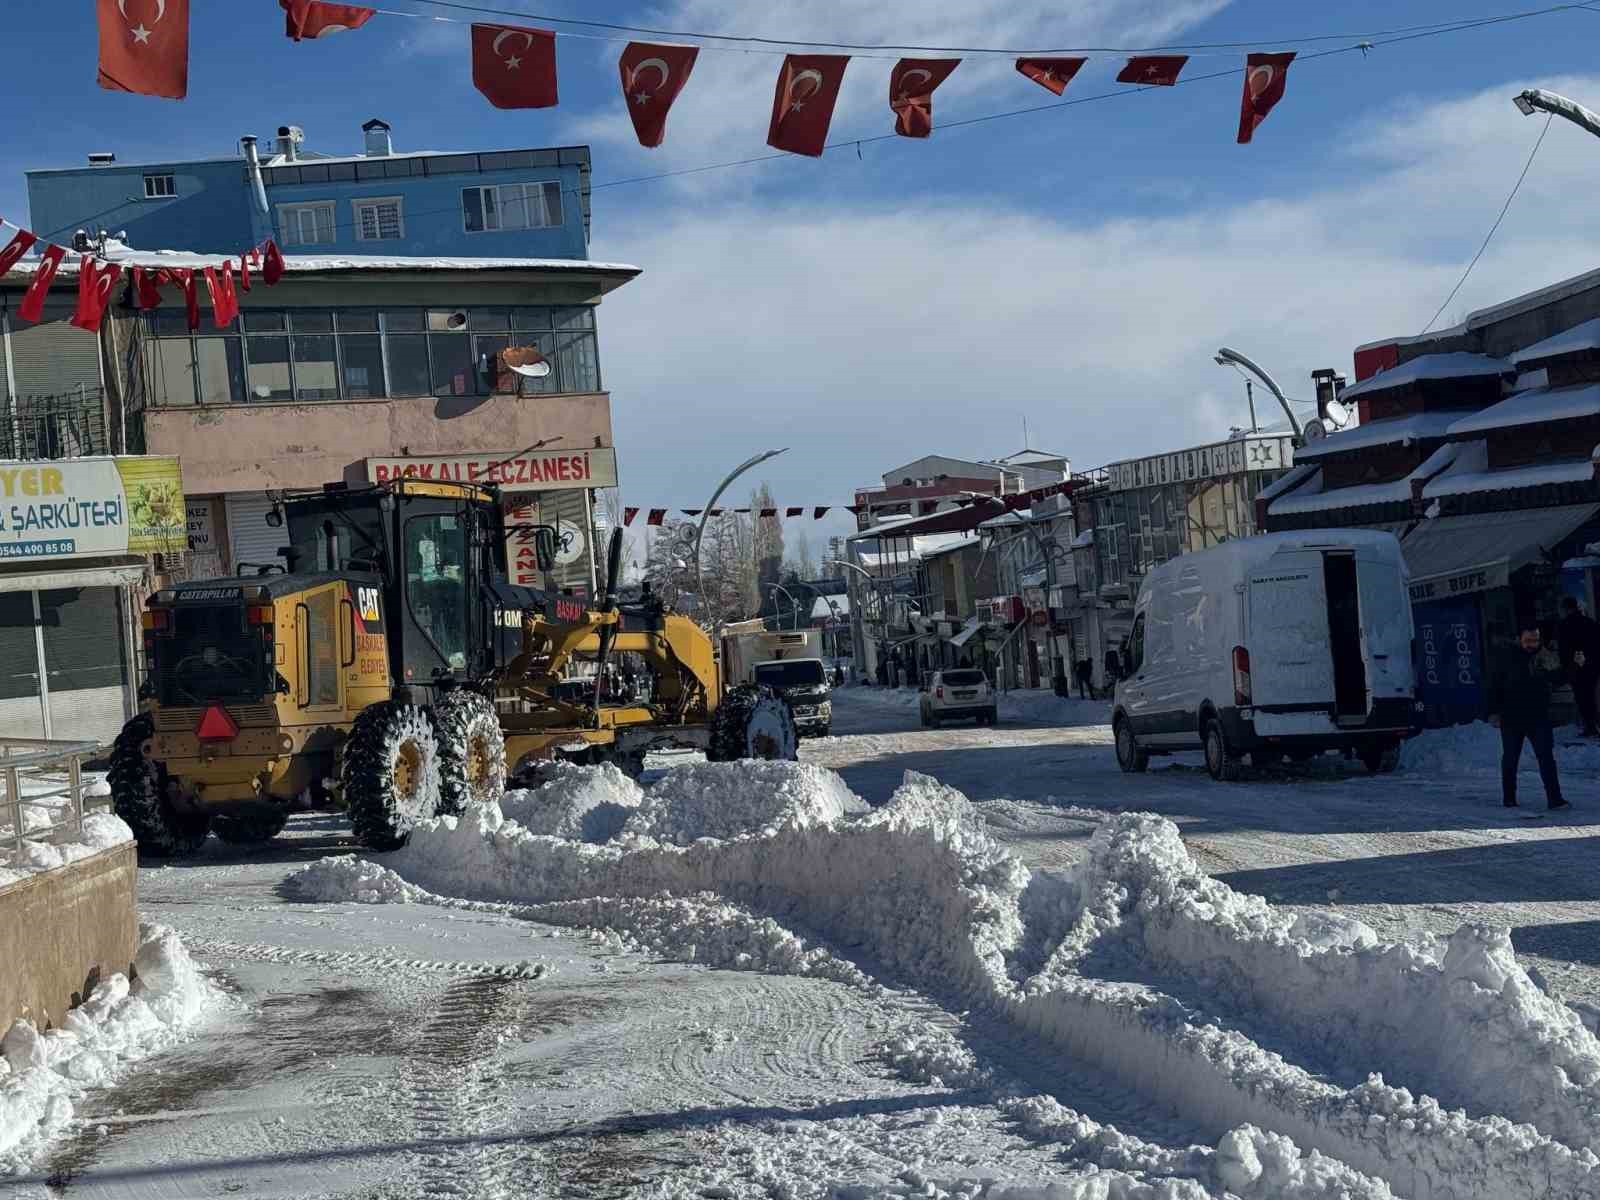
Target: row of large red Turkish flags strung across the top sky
145, 49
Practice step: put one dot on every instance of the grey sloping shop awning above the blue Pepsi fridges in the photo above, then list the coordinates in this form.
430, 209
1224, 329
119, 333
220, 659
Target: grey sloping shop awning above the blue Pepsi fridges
1454, 556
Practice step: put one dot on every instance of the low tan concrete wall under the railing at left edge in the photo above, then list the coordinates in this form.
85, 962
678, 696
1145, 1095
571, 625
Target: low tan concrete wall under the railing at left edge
65, 929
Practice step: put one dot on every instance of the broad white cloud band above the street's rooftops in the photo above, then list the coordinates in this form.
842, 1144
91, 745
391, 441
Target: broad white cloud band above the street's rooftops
863, 337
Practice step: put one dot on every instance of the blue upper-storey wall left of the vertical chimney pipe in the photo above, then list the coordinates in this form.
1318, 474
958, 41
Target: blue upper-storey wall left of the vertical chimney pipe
212, 210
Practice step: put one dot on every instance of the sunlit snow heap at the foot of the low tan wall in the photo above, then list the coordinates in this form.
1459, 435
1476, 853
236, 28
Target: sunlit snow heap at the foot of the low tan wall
44, 1073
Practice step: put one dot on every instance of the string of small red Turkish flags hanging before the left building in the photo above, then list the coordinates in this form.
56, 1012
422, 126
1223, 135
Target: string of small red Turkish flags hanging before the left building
98, 278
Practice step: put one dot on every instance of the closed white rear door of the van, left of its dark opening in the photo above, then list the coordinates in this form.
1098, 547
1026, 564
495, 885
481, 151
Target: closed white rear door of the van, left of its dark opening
1290, 657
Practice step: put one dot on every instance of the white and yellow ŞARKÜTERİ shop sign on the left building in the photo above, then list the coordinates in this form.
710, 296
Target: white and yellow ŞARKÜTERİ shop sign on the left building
92, 506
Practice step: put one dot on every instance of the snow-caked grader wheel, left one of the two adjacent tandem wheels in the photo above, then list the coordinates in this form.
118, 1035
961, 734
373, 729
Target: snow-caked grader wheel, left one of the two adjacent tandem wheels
390, 774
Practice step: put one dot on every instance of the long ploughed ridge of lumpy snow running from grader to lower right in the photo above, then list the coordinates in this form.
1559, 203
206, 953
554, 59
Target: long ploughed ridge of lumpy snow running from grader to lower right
1135, 962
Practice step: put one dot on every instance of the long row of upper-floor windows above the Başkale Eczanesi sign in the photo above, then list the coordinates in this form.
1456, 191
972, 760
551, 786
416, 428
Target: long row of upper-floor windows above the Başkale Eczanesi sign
364, 354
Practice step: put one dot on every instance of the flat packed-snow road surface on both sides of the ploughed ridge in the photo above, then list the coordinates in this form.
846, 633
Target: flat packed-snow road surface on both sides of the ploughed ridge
431, 1050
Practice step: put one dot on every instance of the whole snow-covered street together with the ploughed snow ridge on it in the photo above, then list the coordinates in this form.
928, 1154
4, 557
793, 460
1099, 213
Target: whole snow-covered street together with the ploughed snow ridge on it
934, 998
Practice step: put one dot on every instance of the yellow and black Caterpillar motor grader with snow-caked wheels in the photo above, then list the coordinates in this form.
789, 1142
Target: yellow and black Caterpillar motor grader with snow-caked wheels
390, 663
